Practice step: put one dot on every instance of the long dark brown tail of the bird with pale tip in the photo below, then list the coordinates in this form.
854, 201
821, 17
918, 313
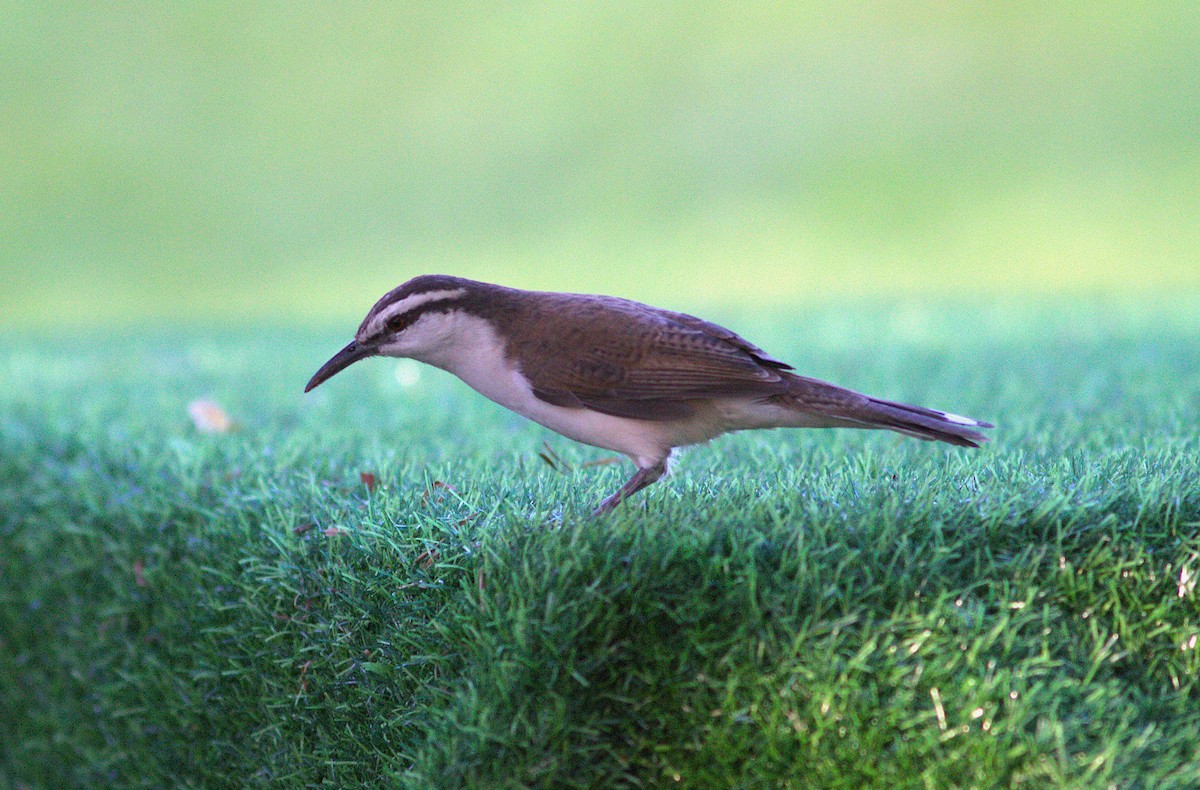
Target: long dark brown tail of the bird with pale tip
843, 408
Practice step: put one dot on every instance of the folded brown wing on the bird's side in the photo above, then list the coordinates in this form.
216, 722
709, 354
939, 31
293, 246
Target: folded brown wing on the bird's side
633, 361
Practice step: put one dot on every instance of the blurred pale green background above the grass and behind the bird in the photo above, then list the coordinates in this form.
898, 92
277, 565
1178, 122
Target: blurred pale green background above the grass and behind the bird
279, 161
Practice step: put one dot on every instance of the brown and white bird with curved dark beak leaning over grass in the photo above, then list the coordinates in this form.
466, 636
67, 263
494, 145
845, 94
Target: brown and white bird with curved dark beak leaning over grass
617, 374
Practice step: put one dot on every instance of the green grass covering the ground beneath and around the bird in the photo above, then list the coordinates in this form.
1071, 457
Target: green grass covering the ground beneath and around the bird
802, 609
